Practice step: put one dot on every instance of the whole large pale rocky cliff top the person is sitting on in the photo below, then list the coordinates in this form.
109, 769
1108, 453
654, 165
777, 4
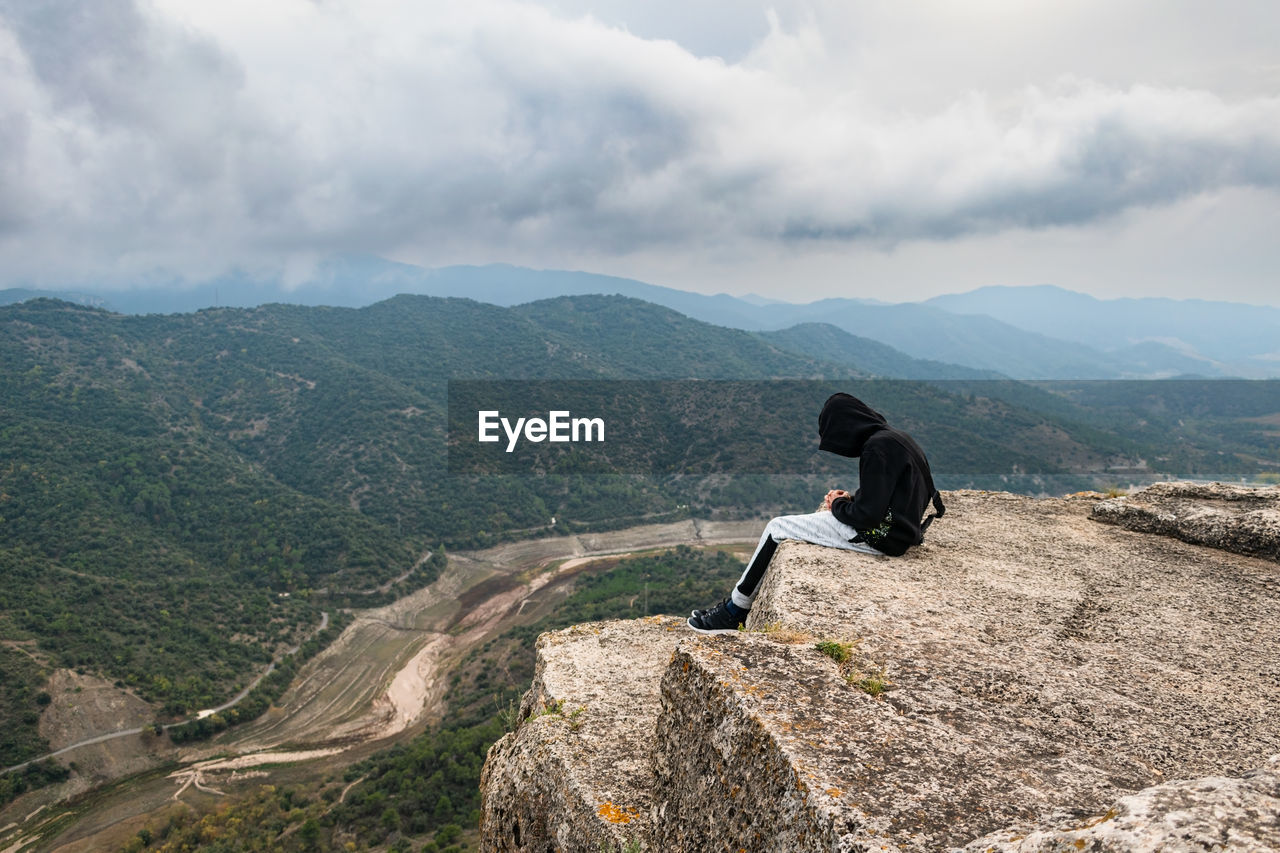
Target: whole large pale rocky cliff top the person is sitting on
1041, 670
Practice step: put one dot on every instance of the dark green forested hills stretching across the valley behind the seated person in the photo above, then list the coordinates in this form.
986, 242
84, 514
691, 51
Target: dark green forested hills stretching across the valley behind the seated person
184, 495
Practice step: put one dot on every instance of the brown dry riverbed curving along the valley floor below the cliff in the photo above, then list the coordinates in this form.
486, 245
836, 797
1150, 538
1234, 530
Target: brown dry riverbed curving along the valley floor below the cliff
383, 679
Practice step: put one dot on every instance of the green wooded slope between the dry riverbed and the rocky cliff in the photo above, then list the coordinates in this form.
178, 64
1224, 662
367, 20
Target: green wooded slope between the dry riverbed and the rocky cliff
423, 796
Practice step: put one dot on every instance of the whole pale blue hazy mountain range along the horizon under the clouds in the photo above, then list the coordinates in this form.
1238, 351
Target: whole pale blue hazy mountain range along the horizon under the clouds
1005, 331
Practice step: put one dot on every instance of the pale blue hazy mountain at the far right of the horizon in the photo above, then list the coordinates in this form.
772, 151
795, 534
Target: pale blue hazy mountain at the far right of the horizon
1203, 332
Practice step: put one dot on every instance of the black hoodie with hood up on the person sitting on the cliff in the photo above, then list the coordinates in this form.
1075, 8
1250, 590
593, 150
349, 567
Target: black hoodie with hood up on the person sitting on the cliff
895, 483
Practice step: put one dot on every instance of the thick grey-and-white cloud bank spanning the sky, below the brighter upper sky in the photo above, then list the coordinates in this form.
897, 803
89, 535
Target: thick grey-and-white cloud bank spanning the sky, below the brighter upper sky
138, 138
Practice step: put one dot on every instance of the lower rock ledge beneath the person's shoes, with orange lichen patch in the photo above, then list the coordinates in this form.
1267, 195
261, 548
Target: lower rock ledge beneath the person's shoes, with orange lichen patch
577, 774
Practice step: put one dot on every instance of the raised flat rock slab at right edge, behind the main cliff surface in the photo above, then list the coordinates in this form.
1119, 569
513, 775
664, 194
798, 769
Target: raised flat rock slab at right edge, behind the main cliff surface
1231, 518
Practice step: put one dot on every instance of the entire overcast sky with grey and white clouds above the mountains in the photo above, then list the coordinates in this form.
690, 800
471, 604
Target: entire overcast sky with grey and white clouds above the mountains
889, 149
